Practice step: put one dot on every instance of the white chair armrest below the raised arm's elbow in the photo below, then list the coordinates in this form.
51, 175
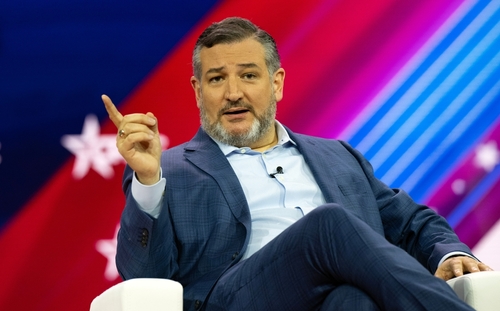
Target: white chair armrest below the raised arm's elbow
139, 295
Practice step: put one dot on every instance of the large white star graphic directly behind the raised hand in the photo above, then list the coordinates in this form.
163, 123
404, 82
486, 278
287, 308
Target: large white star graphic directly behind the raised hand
95, 150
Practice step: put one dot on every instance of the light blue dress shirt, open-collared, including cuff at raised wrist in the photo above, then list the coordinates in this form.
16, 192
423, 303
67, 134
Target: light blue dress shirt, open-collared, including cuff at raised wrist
275, 203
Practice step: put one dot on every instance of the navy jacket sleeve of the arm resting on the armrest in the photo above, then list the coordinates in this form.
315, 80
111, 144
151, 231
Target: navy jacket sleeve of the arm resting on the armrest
416, 228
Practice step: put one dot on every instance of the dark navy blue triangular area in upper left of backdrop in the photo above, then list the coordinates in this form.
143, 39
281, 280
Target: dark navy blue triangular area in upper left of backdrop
56, 58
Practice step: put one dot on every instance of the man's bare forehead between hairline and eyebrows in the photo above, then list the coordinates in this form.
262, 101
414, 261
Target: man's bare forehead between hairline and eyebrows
233, 54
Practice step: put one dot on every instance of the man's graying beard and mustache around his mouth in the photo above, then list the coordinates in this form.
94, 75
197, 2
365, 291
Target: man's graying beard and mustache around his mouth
260, 126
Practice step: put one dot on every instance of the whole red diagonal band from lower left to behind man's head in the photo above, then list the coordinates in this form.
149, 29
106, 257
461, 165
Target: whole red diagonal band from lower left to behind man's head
49, 259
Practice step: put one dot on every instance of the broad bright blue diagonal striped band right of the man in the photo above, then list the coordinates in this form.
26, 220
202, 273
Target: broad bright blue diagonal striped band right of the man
442, 108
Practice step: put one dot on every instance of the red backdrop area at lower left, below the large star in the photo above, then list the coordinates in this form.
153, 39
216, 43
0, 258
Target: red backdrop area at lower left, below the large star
49, 260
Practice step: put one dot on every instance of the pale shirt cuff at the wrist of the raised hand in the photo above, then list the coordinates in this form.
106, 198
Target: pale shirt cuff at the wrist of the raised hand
149, 197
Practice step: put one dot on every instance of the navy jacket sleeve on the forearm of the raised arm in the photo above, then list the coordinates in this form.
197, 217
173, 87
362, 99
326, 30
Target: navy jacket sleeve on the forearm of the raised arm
144, 248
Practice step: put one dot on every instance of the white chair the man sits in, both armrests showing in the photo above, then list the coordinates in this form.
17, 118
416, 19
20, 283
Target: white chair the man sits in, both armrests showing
480, 290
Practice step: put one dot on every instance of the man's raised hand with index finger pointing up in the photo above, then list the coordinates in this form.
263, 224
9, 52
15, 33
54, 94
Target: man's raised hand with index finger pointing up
138, 141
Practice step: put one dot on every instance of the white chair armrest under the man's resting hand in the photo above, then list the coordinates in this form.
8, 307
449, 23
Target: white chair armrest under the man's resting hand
480, 290
